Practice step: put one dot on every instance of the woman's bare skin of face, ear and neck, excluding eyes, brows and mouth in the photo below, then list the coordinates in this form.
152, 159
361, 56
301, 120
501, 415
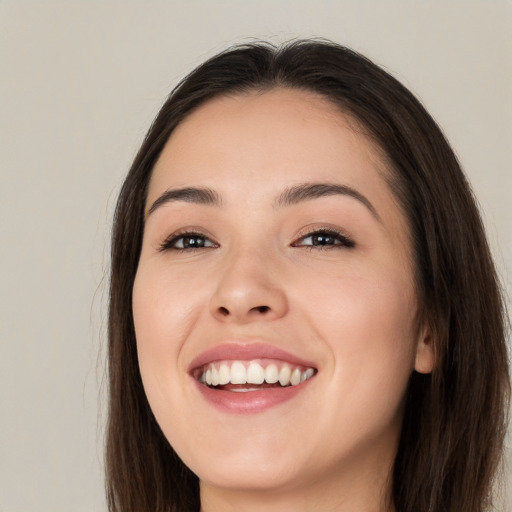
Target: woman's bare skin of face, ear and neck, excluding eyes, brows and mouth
351, 310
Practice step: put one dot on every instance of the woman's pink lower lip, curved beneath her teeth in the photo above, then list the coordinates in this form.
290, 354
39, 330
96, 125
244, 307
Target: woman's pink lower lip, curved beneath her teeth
250, 401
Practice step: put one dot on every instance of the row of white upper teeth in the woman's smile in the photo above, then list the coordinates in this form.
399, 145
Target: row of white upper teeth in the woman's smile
237, 373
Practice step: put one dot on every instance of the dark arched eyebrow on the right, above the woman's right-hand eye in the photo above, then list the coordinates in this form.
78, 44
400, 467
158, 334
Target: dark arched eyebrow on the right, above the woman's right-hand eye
307, 191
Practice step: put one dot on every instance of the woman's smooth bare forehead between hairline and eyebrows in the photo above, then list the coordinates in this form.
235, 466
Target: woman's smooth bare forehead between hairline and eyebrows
275, 137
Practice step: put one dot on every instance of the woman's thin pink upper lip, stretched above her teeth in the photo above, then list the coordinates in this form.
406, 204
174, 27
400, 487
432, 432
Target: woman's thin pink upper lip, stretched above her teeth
246, 352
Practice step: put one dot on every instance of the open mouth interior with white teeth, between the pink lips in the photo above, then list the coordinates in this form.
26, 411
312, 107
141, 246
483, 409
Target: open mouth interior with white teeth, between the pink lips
254, 375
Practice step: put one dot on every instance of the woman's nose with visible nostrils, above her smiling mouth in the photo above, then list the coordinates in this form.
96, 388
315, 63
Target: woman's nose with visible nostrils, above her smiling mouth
249, 290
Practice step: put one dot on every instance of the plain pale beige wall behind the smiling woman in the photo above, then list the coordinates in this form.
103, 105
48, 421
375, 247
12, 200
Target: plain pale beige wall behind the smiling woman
80, 83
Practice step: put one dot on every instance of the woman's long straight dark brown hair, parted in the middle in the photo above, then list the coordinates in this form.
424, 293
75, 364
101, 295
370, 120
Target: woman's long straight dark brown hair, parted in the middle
455, 418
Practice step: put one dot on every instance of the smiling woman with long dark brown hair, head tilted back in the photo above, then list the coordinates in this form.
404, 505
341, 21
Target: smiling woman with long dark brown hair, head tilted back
304, 312
